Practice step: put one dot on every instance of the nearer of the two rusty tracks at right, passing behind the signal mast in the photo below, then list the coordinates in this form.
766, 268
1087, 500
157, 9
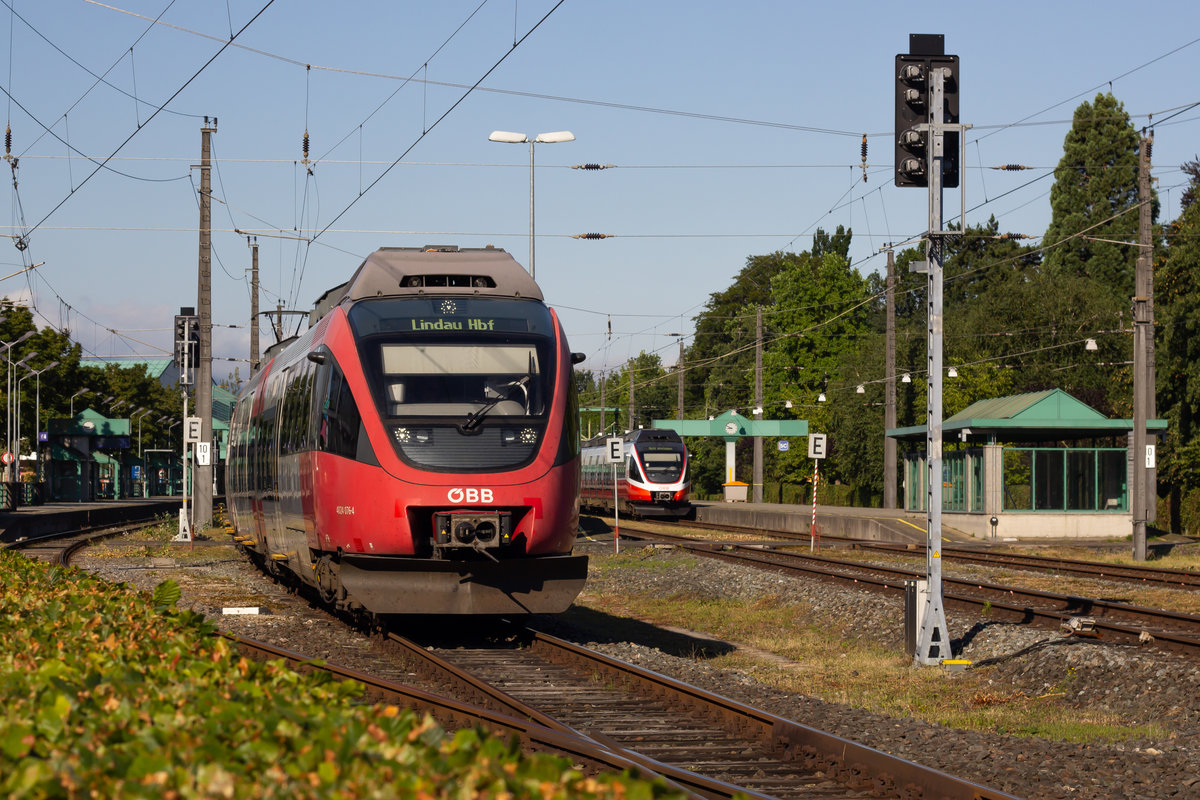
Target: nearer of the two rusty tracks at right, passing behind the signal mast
1114, 621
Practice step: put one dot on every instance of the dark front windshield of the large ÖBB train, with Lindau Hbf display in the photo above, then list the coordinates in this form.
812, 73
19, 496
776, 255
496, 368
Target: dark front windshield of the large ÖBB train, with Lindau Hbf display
464, 384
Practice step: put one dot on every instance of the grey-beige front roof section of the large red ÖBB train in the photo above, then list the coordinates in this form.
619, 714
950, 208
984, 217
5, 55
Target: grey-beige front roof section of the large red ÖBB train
434, 269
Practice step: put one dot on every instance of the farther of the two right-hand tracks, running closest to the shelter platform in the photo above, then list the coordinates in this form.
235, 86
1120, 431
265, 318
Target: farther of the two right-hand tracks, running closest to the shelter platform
1123, 573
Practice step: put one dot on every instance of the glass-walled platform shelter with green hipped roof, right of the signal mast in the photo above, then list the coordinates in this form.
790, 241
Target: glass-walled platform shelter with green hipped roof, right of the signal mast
1040, 465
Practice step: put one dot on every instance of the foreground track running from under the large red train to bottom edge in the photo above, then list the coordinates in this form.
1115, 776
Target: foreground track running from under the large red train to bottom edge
707, 744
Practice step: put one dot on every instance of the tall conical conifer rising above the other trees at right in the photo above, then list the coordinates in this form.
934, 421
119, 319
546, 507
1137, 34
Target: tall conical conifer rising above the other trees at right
1095, 199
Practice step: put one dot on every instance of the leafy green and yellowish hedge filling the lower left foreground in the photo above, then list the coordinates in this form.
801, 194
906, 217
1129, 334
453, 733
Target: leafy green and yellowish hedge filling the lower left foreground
111, 696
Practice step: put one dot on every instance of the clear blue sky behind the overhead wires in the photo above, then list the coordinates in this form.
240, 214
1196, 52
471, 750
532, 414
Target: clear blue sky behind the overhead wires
734, 129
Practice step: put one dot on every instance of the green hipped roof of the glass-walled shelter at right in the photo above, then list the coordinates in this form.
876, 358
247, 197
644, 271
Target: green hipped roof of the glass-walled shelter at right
1047, 416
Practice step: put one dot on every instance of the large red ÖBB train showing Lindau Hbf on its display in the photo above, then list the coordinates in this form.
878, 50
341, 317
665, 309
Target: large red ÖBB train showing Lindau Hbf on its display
417, 452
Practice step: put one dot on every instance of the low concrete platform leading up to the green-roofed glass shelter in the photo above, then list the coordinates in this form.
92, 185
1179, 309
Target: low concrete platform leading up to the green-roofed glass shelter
874, 525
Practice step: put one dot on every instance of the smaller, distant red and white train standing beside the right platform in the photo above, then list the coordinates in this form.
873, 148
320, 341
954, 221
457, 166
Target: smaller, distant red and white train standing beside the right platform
651, 483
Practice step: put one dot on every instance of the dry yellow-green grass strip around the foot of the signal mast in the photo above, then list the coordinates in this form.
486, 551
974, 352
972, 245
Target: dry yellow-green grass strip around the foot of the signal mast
782, 645
